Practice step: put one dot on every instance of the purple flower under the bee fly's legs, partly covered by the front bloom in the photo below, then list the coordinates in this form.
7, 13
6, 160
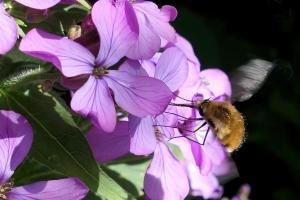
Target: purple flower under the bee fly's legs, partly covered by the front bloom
165, 178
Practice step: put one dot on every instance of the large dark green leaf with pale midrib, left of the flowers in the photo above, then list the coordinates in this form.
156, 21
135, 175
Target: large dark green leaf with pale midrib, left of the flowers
58, 143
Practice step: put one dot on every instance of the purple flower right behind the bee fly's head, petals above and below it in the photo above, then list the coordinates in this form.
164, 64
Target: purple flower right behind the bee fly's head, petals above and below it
216, 86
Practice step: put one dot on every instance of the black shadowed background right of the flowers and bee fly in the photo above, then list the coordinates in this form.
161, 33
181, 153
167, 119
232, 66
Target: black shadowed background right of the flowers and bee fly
226, 34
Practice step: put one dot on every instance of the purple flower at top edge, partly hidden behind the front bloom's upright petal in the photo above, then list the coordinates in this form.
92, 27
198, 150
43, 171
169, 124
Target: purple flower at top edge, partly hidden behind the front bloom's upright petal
153, 24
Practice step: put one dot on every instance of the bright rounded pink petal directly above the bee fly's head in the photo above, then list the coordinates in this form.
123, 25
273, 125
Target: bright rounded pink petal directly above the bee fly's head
216, 82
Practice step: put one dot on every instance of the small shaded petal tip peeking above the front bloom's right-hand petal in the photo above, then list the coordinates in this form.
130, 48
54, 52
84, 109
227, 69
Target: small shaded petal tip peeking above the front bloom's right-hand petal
133, 67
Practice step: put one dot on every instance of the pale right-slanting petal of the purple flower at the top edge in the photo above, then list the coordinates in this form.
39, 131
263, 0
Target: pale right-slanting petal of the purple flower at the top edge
158, 19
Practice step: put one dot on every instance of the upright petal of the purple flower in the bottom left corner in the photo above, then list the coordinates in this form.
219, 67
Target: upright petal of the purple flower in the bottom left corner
15, 142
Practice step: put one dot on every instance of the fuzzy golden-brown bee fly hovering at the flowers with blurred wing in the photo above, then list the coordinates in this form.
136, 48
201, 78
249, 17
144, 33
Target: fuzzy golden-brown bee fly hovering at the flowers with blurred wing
226, 122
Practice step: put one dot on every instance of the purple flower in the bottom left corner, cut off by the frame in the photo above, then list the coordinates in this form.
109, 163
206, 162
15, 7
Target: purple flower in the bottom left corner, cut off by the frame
15, 141
